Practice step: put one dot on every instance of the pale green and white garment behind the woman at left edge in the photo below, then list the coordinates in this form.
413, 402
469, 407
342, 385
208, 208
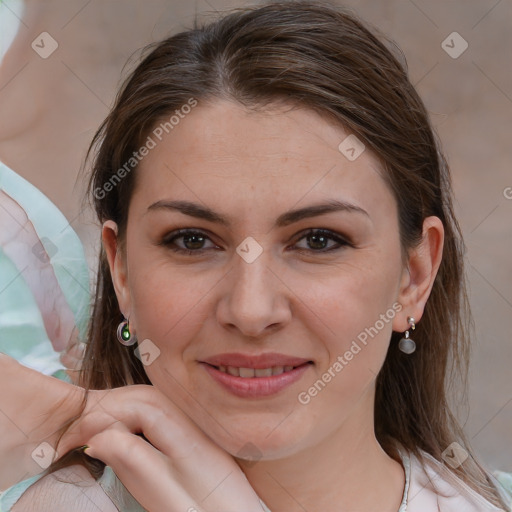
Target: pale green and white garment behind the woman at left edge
44, 282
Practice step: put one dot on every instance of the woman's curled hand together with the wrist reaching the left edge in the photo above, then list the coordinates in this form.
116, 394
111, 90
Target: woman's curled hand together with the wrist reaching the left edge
179, 470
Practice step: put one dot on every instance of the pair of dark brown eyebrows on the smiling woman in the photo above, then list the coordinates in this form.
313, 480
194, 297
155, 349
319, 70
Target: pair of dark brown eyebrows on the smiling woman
285, 219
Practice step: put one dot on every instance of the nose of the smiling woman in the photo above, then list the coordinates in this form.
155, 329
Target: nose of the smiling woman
255, 301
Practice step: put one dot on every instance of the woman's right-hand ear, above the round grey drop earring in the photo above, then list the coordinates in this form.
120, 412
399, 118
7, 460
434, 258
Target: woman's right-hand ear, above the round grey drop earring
419, 274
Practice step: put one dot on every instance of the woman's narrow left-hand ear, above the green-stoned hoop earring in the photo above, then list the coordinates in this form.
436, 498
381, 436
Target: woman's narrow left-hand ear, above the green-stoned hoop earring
117, 265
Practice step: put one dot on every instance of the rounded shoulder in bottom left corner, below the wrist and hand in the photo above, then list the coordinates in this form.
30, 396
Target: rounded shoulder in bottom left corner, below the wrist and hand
71, 488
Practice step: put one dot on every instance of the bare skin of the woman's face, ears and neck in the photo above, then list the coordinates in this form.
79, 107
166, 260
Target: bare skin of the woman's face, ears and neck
252, 167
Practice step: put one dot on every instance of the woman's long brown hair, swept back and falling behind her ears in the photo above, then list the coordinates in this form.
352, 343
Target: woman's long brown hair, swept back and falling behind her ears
319, 56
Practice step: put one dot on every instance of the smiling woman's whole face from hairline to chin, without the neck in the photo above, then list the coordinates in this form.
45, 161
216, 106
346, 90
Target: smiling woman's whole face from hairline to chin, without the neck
258, 283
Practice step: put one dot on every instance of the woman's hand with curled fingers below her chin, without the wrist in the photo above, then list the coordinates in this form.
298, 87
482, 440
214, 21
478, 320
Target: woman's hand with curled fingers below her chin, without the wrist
179, 469
